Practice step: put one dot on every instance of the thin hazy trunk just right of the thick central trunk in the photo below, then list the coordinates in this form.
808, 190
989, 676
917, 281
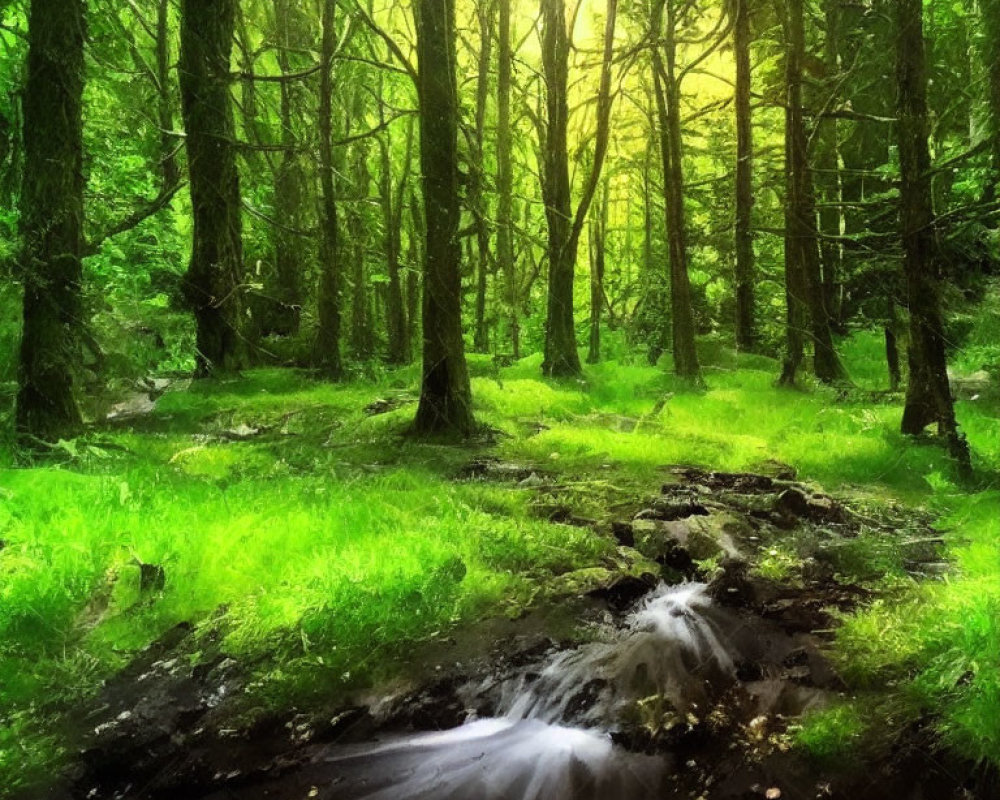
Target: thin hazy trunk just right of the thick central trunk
477, 172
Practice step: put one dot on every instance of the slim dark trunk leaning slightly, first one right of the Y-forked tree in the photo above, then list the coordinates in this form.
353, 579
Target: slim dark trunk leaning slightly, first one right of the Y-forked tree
667, 86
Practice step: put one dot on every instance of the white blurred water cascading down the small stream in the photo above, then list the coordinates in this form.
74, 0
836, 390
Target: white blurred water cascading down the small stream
551, 738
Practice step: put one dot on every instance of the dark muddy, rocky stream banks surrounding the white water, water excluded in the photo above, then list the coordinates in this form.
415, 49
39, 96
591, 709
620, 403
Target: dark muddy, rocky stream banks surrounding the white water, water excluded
171, 726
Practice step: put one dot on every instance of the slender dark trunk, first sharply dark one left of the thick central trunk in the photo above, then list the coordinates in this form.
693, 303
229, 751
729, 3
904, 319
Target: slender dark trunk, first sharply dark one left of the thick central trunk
327, 356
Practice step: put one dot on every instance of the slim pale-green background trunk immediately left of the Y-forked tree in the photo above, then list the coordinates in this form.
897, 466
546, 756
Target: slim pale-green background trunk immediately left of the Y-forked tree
505, 239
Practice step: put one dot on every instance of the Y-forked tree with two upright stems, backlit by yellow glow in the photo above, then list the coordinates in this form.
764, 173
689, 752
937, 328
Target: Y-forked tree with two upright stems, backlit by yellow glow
565, 226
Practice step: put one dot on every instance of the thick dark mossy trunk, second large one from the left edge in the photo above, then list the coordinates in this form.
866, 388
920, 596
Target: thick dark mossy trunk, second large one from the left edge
212, 285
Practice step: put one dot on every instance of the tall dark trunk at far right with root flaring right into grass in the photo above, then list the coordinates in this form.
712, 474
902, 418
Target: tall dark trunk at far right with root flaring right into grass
928, 395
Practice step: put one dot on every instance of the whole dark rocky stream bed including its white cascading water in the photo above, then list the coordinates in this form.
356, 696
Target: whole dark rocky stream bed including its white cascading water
699, 661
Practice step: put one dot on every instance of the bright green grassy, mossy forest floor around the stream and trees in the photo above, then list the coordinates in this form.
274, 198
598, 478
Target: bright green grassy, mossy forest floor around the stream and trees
298, 532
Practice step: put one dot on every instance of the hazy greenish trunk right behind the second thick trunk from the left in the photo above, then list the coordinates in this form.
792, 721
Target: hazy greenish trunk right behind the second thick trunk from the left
289, 184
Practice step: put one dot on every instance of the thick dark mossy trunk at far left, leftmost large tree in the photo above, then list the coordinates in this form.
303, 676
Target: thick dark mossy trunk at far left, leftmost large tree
52, 220
